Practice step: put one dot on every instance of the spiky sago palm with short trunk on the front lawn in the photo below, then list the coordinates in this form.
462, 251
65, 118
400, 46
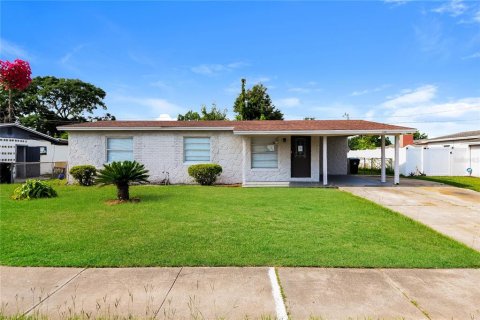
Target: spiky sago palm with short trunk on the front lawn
121, 174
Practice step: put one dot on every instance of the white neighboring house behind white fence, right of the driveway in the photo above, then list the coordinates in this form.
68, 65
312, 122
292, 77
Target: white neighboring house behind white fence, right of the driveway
449, 155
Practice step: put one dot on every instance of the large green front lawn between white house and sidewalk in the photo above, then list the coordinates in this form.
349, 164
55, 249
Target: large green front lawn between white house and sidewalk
217, 226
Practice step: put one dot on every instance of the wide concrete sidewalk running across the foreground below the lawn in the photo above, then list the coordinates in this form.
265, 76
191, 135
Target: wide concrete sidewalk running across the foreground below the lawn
240, 293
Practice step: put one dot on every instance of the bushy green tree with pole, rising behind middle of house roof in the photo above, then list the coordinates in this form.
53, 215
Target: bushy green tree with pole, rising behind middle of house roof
255, 104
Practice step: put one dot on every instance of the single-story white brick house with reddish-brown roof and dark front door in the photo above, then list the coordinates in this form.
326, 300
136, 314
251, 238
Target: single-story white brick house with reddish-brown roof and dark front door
250, 152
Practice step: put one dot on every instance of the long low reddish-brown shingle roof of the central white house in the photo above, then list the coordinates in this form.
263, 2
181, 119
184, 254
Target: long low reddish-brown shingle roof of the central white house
249, 127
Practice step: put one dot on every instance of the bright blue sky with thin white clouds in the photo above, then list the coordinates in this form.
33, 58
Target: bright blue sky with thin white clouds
402, 62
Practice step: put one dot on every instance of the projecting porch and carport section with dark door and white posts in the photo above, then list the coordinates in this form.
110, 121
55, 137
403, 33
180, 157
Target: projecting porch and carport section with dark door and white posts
308, 152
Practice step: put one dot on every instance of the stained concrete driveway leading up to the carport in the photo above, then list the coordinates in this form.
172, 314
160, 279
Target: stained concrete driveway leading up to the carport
452, 211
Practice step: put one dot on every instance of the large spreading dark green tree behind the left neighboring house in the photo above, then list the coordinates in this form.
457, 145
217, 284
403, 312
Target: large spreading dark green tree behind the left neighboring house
50, 102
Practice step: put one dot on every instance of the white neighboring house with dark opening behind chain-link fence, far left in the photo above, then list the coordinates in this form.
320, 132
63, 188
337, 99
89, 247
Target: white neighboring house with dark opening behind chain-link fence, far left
26, 153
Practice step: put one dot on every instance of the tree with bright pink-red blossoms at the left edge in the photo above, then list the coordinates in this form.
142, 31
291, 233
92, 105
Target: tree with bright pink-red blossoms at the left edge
14, 75
